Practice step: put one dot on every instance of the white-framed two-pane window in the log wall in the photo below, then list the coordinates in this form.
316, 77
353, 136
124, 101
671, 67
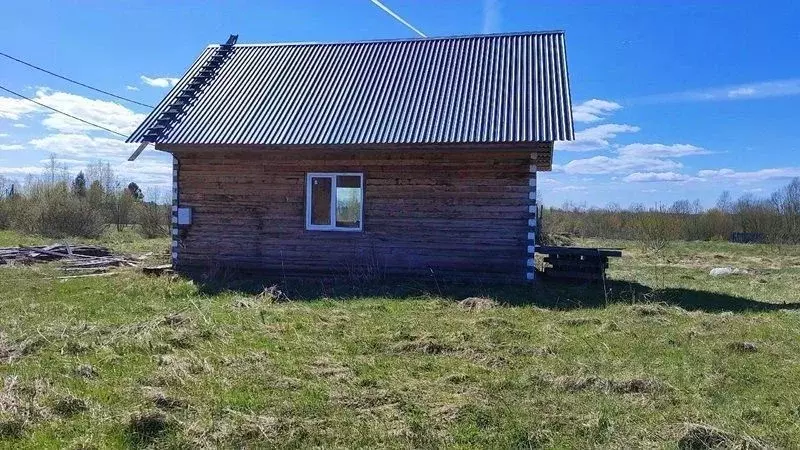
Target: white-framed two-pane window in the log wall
335, 201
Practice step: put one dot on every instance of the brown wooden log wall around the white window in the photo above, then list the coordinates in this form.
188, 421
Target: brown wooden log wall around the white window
454, 213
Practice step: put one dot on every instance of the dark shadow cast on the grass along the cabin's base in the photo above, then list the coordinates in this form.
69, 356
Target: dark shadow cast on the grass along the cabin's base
545, 293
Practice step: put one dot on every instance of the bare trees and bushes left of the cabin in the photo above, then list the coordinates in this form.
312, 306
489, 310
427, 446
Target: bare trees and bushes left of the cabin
57, 204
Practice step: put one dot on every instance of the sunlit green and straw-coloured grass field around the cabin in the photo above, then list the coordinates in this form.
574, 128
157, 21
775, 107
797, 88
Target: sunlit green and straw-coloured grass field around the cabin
672, 357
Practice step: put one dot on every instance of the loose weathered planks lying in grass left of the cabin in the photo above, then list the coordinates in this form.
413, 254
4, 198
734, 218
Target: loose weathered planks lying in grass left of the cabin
81, 259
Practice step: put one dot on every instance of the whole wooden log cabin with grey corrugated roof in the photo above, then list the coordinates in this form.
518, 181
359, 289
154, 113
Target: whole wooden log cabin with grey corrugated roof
411, 157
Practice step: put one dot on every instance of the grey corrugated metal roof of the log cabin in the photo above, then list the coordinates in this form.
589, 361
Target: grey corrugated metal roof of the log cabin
483, 88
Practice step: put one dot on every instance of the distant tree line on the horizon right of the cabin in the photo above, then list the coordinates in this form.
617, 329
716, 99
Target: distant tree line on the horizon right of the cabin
772, 219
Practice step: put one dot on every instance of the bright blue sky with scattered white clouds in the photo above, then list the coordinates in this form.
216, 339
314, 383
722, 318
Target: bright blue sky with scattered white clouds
672, 100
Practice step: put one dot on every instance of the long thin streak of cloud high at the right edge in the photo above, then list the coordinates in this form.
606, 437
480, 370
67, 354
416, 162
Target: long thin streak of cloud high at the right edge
762, 89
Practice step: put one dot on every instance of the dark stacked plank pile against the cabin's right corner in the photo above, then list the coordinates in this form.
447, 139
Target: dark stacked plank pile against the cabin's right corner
577, 262
